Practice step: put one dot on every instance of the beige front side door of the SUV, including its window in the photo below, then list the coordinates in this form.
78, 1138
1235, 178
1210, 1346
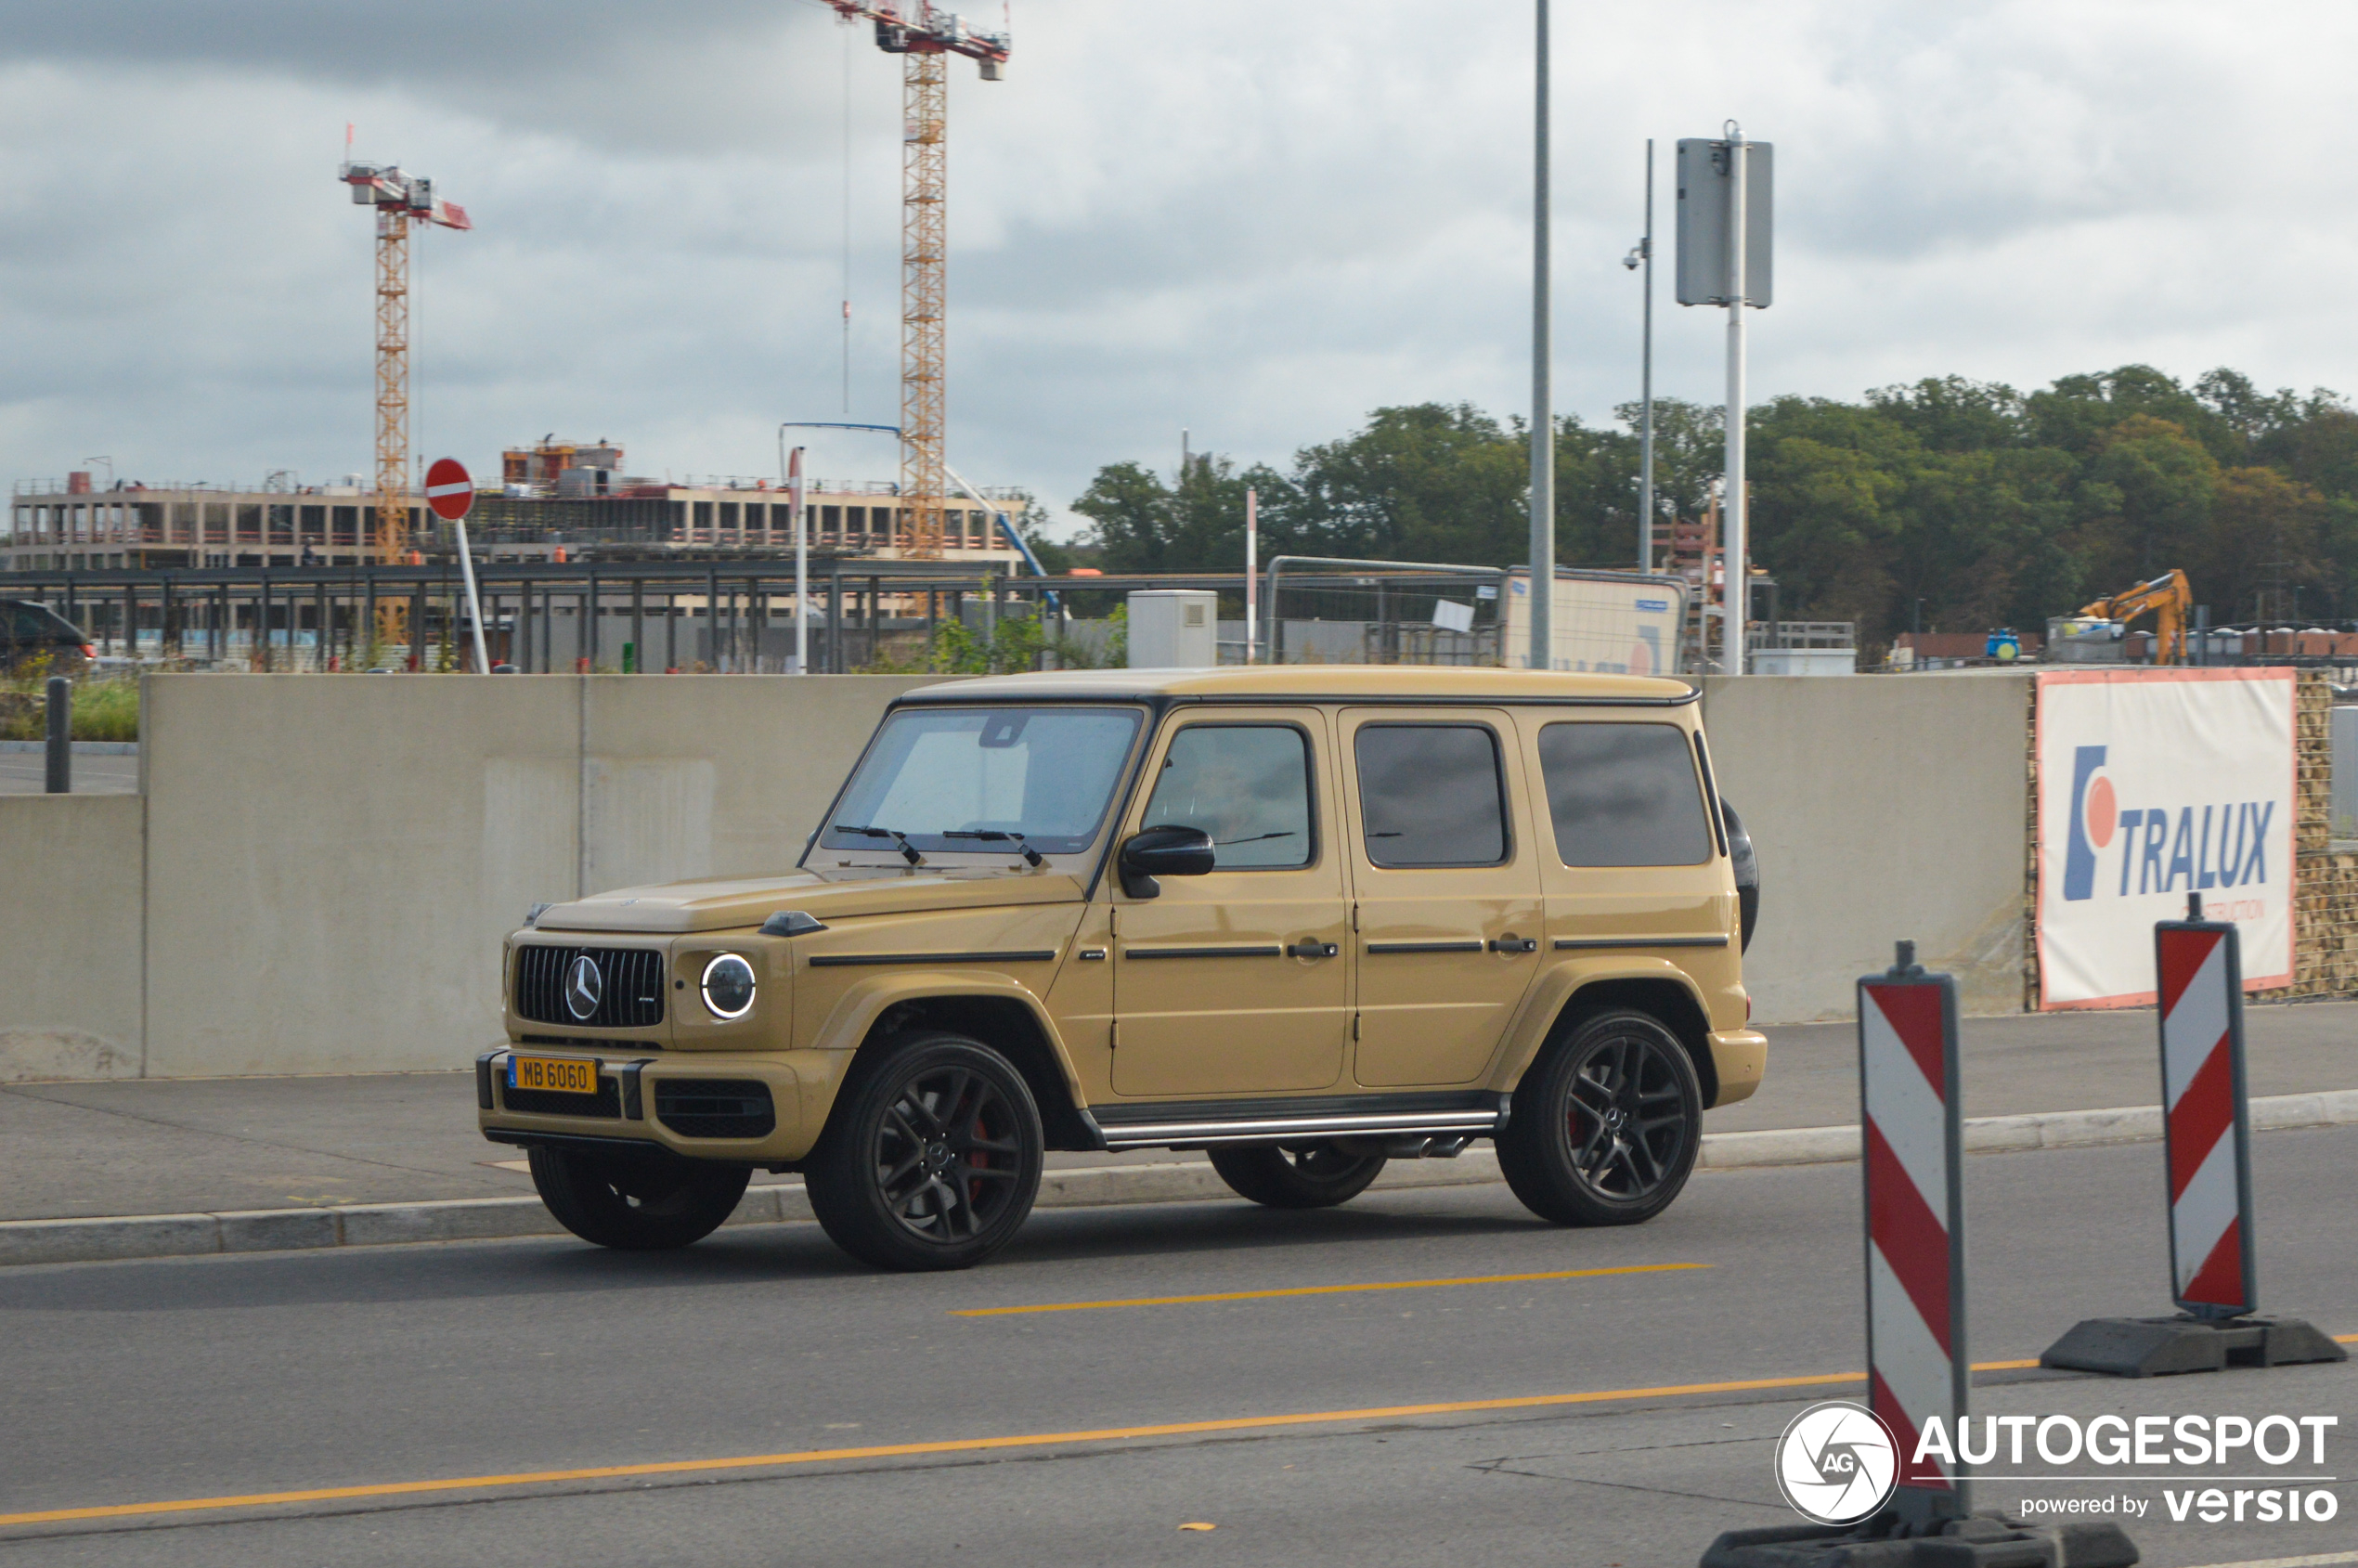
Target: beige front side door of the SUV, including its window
1237, 982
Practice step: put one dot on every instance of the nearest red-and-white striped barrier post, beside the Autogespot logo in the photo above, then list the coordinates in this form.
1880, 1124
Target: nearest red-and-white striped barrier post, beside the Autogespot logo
1911, 1124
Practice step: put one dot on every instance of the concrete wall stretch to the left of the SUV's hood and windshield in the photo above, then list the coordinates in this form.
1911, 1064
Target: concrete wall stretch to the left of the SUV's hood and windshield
338, 857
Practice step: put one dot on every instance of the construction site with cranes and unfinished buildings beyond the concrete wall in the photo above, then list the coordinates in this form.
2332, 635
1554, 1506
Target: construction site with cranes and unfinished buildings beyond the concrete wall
572, 562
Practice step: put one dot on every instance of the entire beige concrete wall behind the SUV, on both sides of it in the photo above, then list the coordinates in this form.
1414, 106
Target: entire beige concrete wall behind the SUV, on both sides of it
320, 869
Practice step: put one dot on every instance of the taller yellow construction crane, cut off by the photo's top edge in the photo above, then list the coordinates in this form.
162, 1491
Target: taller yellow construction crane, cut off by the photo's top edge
923, 37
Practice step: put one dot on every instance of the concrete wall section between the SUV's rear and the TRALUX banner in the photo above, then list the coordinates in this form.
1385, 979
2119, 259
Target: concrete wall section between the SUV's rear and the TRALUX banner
1881, 810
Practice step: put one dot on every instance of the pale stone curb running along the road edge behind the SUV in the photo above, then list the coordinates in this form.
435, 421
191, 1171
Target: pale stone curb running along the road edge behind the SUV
378, 1225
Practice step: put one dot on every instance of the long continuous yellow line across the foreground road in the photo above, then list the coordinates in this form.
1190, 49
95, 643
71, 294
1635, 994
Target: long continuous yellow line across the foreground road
951, 1447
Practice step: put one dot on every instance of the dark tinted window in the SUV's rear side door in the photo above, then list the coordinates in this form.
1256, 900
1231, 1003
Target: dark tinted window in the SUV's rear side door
1432, 796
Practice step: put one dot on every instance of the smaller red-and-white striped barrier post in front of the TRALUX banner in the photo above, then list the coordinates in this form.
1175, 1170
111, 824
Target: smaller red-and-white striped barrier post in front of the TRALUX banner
2206, 1119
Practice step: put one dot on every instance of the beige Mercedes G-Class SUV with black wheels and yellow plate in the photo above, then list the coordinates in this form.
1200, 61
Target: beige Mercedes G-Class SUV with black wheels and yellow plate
1303, 918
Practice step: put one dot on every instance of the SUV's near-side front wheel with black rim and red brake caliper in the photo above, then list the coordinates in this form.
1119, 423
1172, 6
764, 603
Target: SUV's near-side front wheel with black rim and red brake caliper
933, 1157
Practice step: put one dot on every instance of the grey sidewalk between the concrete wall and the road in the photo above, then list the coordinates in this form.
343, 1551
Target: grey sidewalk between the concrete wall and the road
294, 1145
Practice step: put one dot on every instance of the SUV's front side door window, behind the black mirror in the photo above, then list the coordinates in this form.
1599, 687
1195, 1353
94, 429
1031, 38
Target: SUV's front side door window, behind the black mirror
1244, 784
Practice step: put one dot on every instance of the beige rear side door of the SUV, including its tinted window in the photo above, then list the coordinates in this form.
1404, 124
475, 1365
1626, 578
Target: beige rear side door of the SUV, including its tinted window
1447, 890
